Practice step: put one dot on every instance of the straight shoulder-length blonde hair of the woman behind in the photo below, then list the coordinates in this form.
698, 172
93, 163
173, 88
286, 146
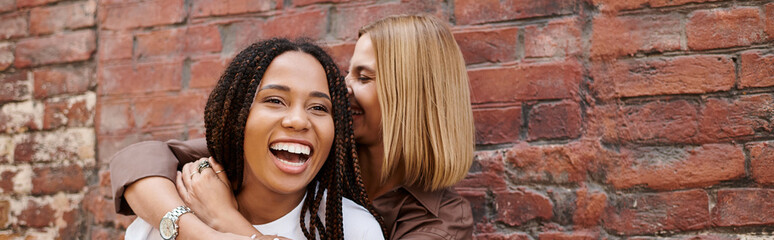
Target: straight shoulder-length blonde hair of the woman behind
422, 85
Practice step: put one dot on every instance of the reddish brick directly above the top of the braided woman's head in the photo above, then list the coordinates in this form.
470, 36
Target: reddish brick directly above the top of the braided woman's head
309, 24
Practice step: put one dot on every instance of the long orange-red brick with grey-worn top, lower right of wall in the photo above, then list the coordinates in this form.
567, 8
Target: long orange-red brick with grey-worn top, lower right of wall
670, 167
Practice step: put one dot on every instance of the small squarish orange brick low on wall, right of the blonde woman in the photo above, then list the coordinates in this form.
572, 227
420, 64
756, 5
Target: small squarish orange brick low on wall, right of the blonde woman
589, 206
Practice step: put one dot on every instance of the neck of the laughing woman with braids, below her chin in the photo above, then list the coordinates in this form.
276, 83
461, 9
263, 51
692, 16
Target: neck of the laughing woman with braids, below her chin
259, 205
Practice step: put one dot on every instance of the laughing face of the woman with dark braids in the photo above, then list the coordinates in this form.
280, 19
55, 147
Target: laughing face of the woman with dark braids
289, 130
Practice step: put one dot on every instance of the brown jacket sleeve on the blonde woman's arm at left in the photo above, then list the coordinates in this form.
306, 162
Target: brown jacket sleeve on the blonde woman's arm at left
149, 159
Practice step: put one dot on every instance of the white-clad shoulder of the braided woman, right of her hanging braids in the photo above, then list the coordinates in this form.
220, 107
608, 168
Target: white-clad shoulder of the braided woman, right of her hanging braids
358, 222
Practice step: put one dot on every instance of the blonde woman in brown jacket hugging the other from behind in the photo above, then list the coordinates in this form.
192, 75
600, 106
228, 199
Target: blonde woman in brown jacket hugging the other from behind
413, 128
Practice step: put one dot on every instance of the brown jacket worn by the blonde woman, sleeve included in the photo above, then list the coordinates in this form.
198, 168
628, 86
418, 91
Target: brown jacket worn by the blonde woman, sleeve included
408, 213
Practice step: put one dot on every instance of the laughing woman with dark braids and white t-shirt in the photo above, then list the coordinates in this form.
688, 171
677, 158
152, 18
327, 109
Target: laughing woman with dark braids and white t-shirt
271, 122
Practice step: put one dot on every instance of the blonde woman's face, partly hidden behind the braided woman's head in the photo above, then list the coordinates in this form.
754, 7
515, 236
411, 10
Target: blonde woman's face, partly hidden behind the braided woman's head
366, 112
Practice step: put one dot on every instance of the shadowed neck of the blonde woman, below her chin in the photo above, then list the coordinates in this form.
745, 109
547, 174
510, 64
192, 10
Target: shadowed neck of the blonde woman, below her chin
371, 158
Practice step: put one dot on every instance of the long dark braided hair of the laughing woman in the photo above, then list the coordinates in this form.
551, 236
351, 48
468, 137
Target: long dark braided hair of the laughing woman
225, 117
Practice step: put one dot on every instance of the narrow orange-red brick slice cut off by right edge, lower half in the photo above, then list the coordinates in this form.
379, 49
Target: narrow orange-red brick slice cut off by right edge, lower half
762, 162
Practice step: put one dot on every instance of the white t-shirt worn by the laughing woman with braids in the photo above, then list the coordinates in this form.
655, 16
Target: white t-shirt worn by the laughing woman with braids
357, 222
